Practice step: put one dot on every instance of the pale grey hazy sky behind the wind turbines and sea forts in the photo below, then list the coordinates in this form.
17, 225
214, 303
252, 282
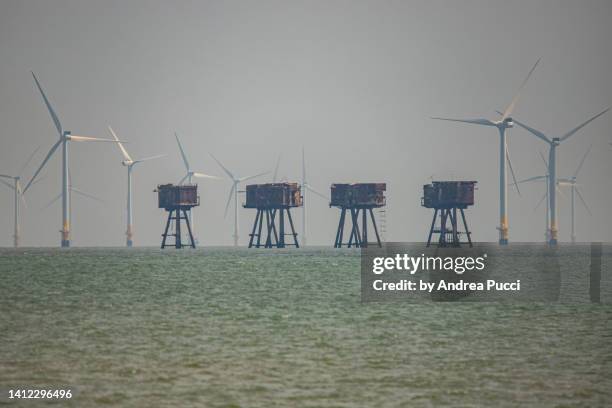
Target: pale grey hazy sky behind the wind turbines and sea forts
354, 82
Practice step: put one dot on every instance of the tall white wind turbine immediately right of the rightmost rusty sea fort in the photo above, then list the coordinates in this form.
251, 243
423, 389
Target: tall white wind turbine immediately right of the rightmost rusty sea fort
502, 124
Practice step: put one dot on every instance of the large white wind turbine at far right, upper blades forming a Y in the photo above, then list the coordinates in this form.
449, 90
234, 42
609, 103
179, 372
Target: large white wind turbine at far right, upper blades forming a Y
553, 142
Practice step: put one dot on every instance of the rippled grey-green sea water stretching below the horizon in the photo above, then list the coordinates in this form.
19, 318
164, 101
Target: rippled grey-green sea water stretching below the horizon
264, 328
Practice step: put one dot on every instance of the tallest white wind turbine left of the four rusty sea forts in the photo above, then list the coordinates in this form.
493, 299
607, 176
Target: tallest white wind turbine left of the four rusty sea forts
65, 136
